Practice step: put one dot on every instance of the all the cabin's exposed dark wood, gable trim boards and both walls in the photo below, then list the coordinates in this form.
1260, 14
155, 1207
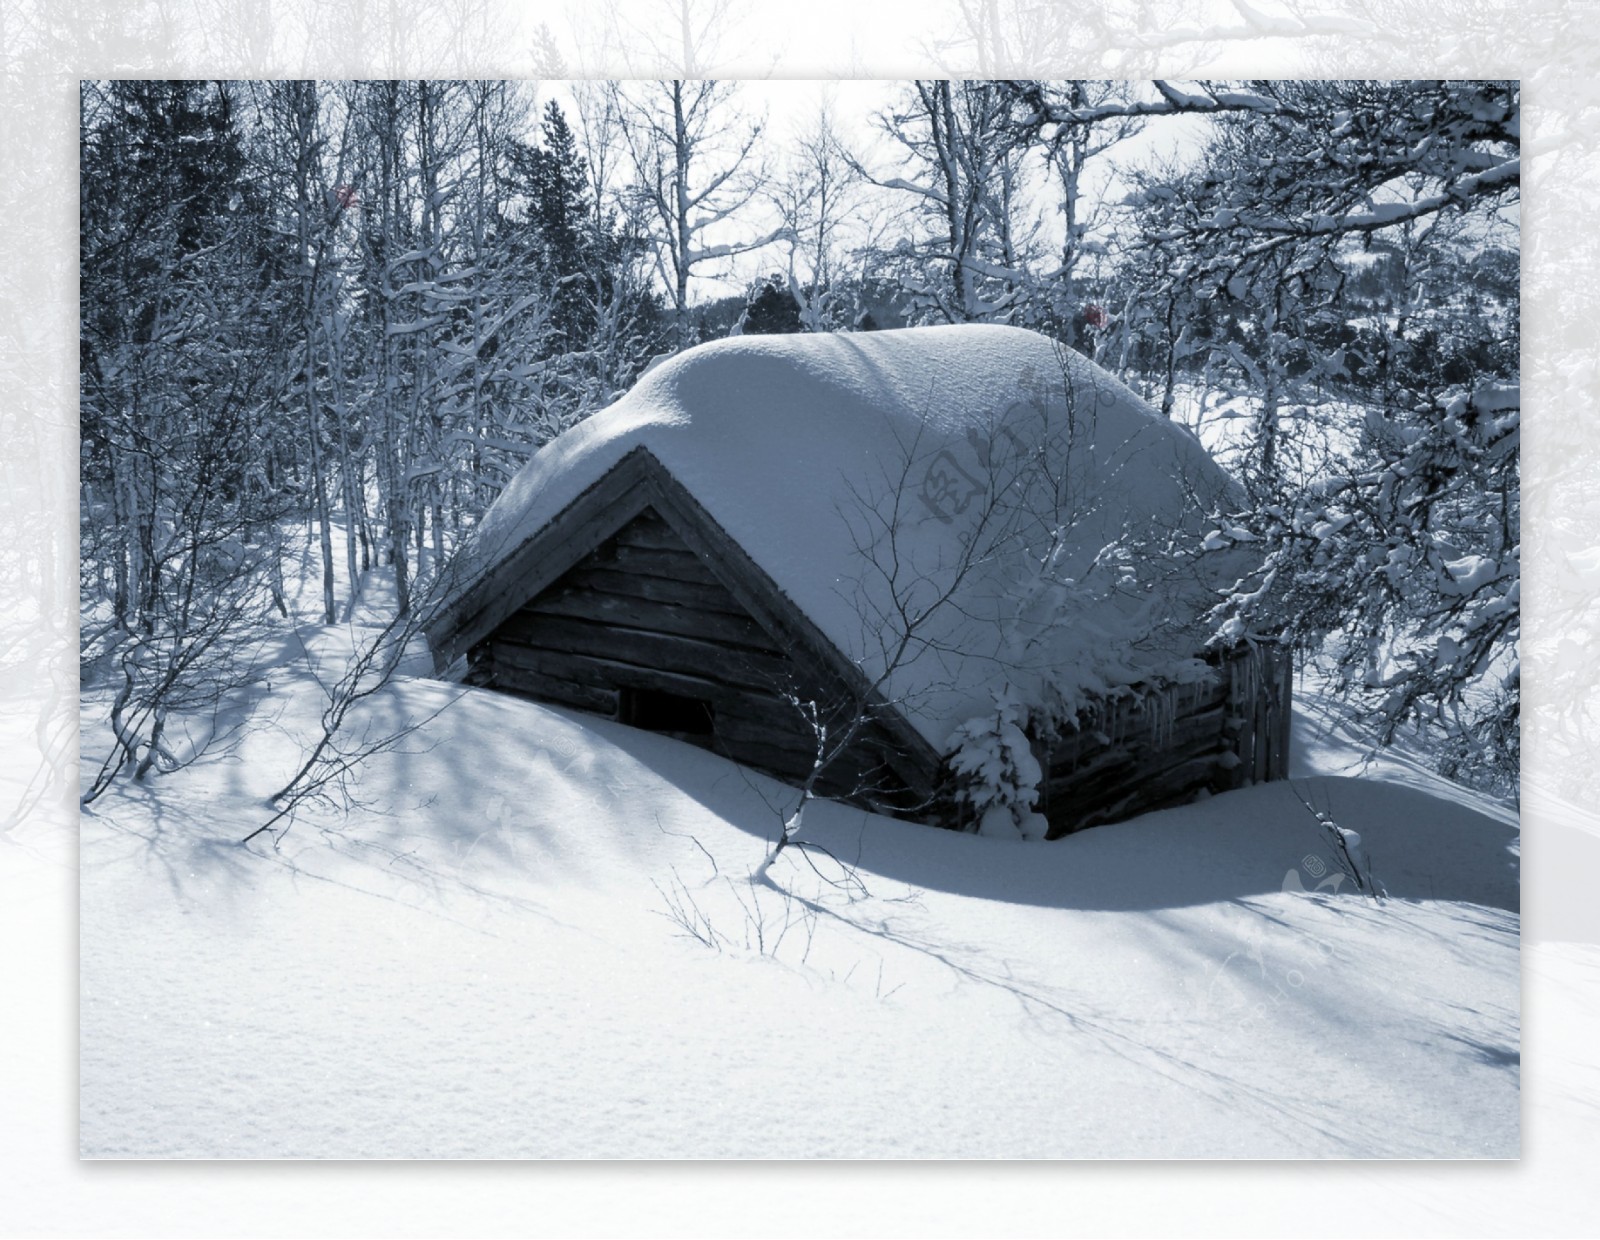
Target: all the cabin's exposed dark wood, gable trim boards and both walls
670, 606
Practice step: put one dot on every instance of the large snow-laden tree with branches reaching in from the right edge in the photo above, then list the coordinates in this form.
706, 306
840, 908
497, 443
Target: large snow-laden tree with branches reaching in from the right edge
1402, 556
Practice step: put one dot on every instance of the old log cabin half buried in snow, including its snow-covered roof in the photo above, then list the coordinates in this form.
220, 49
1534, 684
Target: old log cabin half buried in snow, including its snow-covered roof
873, 540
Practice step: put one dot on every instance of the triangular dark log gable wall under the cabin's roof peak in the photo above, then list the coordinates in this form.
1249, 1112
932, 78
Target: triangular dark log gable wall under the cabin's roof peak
644, 612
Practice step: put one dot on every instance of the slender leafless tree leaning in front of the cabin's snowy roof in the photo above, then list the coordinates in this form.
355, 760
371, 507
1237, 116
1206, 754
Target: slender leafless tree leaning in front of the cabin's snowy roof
1020, 575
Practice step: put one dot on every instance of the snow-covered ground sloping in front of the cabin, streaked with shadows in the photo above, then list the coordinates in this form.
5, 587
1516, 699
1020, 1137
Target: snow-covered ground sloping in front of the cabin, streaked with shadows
498, 953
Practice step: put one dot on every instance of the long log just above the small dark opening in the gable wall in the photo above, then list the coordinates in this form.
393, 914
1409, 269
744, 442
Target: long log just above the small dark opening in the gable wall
644, 649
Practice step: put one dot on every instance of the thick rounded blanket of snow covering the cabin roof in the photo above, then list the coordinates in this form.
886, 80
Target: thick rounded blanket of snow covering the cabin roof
938, 502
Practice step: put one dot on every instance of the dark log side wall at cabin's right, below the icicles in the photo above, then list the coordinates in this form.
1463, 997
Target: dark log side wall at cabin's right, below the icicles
1162, 748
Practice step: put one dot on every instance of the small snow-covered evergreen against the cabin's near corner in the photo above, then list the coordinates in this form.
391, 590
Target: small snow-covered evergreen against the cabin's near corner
998, 770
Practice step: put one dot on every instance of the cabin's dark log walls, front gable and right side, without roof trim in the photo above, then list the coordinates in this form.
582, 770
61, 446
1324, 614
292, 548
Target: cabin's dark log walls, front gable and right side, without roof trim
647, 614
